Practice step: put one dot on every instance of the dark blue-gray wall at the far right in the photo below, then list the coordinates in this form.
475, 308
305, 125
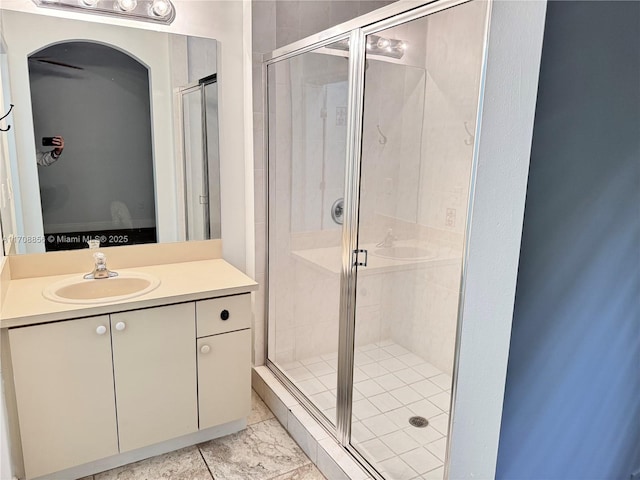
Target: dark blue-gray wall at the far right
572, 400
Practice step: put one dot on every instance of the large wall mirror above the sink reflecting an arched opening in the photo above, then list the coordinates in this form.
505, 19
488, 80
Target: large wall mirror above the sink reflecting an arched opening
104, 144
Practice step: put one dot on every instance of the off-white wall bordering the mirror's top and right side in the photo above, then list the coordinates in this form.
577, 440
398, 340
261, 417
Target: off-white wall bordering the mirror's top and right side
225, 21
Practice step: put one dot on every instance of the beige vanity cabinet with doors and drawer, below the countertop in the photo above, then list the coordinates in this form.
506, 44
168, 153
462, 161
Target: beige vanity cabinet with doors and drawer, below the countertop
90, 389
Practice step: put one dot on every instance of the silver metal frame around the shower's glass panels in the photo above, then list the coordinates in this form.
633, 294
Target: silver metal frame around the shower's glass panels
356, 31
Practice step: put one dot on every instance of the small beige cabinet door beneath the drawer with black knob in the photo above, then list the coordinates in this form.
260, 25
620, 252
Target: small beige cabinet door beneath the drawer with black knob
224, 377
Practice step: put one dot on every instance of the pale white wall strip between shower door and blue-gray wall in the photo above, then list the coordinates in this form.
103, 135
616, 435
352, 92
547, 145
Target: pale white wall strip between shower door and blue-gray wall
493, 246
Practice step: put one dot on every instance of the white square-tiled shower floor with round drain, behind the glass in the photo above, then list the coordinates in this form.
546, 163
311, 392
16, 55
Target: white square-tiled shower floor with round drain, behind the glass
391, 384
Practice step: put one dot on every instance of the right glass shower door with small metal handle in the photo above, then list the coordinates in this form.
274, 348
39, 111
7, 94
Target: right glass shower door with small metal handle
417, 153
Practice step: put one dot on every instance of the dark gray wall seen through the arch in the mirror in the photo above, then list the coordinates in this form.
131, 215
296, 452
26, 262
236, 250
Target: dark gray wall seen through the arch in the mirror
103, 113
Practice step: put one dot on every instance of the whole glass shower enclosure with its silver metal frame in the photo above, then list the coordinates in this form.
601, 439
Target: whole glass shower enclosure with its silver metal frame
371, 147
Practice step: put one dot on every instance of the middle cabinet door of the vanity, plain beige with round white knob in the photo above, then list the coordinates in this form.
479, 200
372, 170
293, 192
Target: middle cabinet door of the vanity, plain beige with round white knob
155, 374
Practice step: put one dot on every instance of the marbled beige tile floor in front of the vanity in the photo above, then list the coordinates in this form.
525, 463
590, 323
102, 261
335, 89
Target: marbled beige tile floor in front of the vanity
264, 451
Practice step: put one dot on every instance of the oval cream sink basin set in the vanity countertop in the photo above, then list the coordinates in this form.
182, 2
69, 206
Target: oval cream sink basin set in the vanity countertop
83, 291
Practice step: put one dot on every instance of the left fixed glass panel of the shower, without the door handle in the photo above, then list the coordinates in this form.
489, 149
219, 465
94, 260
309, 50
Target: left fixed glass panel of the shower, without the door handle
307, 97
